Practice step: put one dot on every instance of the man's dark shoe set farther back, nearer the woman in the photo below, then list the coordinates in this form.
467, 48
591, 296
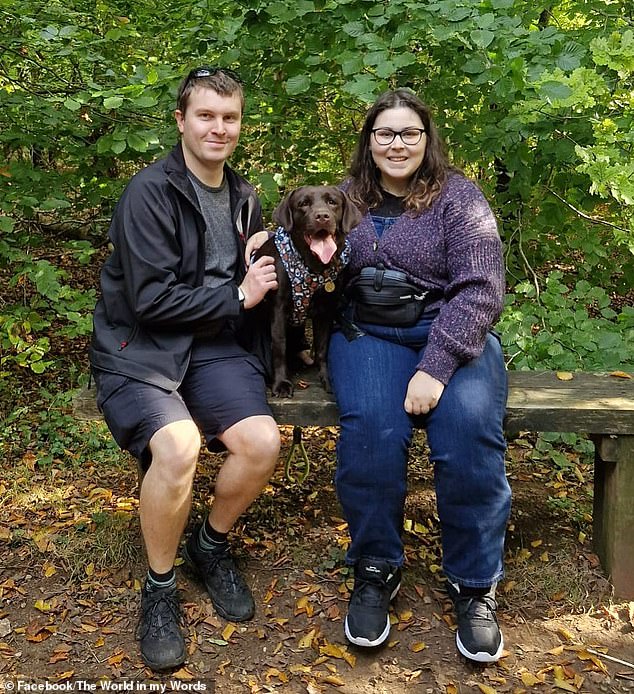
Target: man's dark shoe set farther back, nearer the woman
227, 589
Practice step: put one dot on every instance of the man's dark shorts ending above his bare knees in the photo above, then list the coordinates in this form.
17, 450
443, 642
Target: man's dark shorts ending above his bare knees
223, 385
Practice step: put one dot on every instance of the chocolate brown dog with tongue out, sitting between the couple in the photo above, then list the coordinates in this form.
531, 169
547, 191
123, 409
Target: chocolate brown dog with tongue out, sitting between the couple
310, 251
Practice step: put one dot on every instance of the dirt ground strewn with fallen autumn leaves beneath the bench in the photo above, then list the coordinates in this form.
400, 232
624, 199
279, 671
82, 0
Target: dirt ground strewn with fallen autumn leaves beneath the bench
71, 563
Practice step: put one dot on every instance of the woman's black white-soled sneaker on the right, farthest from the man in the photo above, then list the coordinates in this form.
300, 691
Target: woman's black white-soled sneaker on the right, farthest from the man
478, 636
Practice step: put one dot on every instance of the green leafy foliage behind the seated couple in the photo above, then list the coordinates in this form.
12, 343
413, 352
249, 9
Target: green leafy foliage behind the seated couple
535, 101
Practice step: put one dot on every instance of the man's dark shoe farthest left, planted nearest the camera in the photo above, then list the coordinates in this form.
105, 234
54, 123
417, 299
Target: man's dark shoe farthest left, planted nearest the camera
159, 629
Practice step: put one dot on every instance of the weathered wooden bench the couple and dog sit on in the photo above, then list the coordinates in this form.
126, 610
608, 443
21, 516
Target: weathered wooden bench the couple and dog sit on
601, 406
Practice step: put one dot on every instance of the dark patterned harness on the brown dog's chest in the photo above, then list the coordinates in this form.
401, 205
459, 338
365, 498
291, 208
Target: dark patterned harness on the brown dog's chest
305, 283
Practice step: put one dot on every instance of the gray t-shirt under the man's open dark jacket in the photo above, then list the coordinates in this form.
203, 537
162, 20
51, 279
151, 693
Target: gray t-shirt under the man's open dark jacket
221, 245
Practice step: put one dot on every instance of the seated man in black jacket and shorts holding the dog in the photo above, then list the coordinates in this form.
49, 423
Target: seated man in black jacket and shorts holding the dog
169, 353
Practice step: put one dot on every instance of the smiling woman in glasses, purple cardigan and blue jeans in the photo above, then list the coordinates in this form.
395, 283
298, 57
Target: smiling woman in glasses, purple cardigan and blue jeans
445, 372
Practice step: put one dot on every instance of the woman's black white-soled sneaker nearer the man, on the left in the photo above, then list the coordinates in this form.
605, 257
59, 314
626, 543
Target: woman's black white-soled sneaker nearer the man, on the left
375, 585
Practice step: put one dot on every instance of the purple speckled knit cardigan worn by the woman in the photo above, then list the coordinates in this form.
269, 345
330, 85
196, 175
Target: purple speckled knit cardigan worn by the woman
453, 245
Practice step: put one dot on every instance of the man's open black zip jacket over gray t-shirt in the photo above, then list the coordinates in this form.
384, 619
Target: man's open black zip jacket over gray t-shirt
153, 299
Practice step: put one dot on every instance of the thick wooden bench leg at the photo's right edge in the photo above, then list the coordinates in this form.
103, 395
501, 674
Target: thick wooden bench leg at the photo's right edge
614, 510
